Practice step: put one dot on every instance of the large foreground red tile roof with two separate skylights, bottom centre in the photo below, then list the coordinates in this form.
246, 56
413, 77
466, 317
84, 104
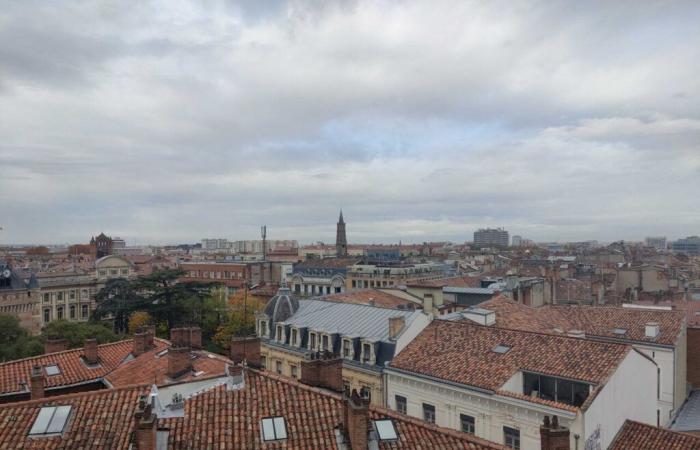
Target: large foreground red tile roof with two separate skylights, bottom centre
231, 419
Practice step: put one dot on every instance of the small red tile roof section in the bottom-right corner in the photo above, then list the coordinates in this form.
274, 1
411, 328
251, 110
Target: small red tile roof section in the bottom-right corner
640, 436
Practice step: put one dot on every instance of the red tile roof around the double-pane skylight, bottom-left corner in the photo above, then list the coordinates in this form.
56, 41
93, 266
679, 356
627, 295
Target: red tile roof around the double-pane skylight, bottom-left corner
100, 420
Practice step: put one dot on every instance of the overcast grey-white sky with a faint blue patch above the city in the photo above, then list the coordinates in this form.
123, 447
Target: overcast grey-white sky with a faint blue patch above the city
171, 121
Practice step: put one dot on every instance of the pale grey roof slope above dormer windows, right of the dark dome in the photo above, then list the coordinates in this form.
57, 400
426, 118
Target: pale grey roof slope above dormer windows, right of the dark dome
369, 322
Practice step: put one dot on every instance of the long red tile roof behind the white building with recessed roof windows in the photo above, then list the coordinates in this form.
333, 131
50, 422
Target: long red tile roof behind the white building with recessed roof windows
593, 320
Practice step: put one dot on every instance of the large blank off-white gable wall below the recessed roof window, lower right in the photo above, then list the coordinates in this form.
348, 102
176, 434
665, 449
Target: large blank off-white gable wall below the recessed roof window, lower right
630, 393
